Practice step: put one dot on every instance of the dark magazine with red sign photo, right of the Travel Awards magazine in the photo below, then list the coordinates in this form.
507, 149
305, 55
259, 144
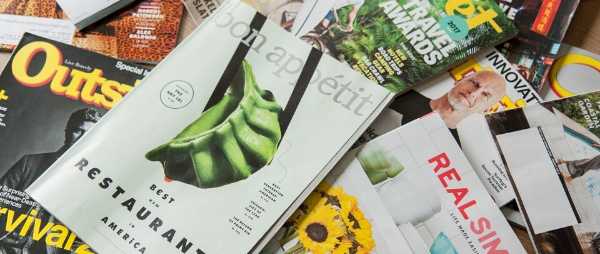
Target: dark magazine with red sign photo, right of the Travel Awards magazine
542, 25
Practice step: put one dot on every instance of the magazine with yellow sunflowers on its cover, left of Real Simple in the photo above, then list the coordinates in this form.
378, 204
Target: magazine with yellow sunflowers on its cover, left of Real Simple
343, 215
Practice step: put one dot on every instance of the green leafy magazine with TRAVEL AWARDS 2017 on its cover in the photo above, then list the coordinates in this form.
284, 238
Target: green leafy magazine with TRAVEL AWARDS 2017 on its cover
396, 43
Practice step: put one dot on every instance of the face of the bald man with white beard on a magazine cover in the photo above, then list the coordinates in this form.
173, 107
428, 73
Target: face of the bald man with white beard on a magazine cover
473, 94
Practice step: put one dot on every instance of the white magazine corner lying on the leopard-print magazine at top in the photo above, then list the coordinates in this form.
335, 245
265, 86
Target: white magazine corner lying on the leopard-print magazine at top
85, 13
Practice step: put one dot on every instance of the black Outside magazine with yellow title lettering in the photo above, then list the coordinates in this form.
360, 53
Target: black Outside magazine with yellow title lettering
50, 95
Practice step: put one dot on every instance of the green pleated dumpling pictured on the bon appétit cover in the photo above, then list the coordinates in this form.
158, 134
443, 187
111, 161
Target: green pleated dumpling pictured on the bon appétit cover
230, 141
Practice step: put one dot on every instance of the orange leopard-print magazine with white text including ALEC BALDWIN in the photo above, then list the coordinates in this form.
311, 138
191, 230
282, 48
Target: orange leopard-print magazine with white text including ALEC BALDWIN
144, 33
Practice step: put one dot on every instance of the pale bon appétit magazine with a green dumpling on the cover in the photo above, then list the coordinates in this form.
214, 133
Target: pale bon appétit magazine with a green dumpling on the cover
228, 134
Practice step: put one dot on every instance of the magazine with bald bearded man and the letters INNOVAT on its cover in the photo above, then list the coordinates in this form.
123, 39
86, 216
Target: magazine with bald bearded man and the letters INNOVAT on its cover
484, 84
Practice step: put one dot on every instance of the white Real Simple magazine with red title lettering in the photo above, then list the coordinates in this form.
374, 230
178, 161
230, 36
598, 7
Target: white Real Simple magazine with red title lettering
430, 189
